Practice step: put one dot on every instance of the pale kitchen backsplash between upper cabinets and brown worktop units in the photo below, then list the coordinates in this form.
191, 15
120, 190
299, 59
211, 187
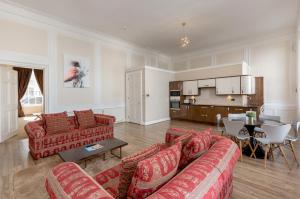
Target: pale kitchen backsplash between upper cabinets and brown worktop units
208, 97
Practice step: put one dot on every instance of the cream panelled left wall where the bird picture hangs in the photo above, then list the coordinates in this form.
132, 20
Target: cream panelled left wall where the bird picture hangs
28, 39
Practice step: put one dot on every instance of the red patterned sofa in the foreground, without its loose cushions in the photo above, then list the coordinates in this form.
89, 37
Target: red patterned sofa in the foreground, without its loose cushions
209, 176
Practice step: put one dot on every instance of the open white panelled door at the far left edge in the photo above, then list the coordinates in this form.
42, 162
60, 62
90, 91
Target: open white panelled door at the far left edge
8, 103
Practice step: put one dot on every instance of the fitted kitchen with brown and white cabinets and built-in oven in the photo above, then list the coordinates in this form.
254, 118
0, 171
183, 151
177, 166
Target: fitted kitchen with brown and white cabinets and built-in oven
202, 100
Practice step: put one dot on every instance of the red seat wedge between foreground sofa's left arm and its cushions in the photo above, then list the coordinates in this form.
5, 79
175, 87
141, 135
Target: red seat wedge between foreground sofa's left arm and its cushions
109, 180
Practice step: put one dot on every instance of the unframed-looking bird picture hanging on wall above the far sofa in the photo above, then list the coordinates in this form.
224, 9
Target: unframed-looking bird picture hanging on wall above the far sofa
76, 72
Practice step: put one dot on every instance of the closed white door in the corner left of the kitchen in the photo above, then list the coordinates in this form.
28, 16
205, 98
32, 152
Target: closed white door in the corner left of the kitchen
134, 94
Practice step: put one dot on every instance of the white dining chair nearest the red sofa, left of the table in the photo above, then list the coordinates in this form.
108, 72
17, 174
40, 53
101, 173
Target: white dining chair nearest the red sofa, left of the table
233, 129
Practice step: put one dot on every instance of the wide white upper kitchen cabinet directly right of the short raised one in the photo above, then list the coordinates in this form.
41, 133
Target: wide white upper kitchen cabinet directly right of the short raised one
228, 86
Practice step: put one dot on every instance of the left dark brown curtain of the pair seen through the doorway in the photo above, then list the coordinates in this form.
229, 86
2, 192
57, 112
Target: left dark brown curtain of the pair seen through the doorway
24, 75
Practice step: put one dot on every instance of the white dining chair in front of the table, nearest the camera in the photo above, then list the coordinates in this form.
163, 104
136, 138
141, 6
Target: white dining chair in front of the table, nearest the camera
275, 138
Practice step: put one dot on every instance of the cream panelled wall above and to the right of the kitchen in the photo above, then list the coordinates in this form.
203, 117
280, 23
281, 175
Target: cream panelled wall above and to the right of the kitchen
273, 57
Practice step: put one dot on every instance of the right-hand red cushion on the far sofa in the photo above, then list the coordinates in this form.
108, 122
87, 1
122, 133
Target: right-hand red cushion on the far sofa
85, 119
